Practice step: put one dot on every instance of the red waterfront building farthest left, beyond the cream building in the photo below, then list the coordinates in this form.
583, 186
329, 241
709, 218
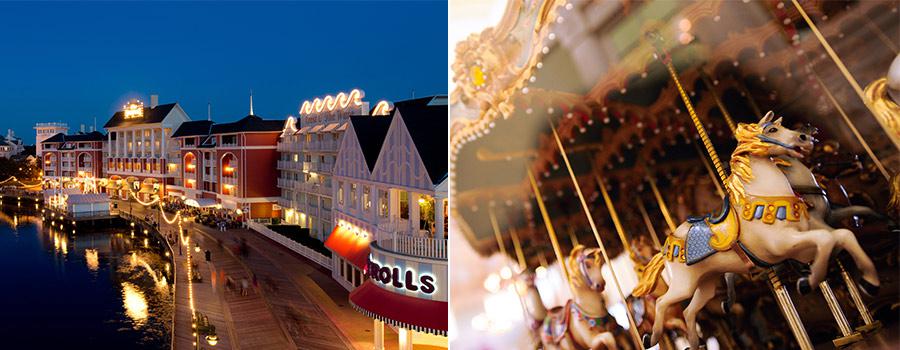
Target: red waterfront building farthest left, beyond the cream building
75, 155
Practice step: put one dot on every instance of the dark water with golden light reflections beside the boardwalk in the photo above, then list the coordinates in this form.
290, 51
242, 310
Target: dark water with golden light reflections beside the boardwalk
102, 290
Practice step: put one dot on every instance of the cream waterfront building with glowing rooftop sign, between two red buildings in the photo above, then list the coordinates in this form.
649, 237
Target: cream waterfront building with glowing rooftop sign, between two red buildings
140, 153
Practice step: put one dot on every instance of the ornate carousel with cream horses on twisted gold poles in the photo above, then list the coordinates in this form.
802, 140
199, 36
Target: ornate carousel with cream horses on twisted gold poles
639, 174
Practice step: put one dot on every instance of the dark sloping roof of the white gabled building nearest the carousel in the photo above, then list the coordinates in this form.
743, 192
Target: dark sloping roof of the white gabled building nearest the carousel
426, 120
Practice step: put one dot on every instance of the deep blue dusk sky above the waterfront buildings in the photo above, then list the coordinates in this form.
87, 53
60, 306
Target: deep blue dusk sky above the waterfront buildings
72, 62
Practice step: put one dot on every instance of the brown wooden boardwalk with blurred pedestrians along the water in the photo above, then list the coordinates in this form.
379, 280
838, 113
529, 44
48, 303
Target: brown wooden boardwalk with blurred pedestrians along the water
294, 304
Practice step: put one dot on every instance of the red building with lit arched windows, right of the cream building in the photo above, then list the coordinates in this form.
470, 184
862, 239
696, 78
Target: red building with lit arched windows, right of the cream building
230, 164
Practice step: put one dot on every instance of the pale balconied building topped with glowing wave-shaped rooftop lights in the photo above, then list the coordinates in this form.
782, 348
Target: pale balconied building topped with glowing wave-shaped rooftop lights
308, 147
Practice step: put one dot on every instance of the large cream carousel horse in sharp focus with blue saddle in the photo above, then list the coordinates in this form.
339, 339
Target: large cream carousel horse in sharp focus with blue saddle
769, 225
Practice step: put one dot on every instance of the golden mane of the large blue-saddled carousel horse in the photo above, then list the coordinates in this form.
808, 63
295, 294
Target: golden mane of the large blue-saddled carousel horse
748, 145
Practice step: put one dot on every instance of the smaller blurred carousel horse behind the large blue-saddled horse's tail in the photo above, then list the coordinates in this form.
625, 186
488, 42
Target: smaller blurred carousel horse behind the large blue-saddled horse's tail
583, 323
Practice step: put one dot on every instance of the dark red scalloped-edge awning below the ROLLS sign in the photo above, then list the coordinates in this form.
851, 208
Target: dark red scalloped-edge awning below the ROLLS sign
420, 315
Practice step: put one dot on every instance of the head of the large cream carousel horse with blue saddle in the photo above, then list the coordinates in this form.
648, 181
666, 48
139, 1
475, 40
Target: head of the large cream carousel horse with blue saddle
783, 140
